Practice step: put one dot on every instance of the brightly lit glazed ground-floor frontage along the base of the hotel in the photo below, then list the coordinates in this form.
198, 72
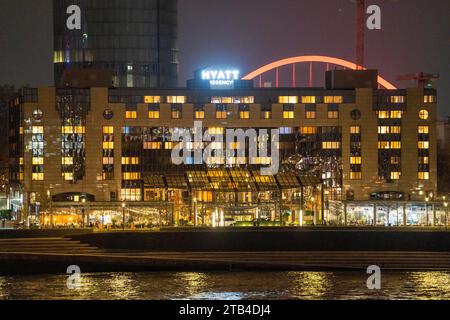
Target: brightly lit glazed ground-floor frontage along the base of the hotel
271, 213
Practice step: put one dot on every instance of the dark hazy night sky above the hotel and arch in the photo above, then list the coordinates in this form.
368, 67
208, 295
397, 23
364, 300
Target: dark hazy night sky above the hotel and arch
249, 33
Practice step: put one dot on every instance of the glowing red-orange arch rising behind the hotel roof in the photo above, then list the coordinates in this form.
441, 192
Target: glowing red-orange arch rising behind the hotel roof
322, 59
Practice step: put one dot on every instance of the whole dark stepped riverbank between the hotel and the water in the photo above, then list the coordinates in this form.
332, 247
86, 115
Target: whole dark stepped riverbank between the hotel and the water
229, 250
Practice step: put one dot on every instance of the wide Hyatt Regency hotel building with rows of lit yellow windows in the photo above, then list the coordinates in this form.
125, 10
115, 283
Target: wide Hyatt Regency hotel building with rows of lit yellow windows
355, 156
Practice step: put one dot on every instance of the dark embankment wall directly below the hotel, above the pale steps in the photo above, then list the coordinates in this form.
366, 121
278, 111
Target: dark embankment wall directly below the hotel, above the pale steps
273, 239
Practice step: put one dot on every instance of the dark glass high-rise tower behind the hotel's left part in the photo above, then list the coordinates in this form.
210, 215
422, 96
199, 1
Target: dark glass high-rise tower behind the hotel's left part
135, 39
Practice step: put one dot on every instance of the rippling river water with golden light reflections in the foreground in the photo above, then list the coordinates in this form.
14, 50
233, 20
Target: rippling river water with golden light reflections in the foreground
229, 286
